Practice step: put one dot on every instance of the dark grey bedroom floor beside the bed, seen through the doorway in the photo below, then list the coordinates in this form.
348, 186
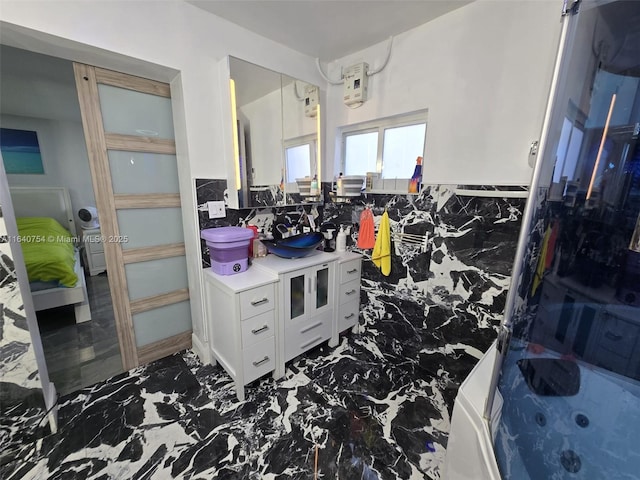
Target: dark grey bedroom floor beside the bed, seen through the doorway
79, 355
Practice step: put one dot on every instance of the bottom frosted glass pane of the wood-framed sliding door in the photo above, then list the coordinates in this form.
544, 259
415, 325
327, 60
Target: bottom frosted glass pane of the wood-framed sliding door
160, 323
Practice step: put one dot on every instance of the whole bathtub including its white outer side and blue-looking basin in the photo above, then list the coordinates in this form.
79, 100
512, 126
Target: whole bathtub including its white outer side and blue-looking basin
590, 435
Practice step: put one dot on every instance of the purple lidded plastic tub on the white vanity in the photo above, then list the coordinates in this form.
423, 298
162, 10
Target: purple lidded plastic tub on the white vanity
228, 248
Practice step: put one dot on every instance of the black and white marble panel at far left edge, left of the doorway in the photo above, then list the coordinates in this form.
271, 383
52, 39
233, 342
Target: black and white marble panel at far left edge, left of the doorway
21, 397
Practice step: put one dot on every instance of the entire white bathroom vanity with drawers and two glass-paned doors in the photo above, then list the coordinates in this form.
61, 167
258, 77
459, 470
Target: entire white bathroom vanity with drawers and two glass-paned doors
278, 309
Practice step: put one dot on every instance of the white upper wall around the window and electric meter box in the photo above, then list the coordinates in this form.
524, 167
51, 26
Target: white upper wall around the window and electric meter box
483, 71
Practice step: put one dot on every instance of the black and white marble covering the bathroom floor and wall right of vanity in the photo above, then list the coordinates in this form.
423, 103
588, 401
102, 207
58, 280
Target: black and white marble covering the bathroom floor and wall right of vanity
377, 406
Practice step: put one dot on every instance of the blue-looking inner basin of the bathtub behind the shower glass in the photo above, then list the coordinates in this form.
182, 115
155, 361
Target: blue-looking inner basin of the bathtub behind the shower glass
592, 434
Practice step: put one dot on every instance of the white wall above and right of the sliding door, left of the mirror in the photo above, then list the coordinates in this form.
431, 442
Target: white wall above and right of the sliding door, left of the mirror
169, 41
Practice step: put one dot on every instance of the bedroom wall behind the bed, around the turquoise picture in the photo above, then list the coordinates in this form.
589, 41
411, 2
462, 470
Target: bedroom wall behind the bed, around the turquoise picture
64, 158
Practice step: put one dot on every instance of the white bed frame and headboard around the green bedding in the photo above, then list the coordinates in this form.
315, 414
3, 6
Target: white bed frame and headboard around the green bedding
54, 203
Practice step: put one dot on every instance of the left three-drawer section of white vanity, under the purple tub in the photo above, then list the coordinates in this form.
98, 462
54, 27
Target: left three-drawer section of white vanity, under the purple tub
241, 314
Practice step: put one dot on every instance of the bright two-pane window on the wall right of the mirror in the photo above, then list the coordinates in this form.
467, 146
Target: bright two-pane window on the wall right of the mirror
388, 146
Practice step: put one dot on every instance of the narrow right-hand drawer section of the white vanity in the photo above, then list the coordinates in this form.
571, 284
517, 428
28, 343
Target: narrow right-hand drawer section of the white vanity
347, 311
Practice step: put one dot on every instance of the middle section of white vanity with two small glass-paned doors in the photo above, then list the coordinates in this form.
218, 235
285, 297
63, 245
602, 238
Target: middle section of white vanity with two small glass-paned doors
306, 293
